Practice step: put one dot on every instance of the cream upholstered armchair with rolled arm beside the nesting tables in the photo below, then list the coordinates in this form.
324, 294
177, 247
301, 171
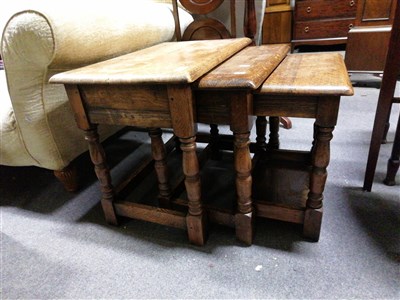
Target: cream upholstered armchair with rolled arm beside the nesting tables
41, 38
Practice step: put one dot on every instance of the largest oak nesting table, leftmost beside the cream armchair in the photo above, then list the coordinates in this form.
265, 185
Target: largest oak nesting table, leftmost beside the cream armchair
150, 88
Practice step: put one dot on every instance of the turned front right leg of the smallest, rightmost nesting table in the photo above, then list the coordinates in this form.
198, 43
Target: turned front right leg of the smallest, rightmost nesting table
320, 161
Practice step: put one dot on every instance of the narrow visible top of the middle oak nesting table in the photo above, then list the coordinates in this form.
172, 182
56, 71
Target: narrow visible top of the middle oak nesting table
246, 69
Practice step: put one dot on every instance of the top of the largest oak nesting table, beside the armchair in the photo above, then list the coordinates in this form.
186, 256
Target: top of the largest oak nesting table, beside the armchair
165, 63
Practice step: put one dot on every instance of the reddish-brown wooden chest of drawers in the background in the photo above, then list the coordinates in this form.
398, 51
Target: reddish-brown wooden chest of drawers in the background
323, 22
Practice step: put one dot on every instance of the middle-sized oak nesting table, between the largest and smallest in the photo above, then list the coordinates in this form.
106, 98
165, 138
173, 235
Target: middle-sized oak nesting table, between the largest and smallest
224, 96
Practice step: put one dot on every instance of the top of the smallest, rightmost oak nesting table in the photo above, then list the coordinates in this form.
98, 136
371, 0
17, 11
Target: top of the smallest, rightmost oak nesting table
298, 74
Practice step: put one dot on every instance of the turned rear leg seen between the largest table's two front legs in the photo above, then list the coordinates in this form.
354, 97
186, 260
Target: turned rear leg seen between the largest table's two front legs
160, 165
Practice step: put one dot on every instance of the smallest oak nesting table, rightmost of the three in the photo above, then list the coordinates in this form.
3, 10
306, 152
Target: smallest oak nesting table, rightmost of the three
289, 185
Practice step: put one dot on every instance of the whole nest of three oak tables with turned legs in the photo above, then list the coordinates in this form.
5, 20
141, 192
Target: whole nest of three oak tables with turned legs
177, 85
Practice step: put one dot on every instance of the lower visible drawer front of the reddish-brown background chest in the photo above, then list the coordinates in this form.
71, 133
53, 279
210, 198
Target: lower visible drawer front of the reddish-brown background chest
322, 29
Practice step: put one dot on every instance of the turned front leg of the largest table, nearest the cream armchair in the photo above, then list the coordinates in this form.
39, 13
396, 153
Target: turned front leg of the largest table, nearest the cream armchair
103, 174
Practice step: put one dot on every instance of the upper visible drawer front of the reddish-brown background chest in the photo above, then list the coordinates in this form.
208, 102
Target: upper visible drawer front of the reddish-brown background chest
322, 9
